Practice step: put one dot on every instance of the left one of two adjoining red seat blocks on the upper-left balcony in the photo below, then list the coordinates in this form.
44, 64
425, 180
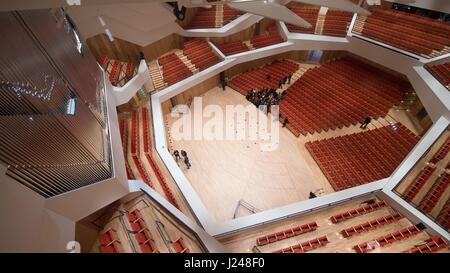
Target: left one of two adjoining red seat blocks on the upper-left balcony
173, 68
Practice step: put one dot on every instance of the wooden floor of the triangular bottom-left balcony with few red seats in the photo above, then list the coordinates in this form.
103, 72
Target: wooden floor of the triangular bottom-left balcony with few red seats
163, 228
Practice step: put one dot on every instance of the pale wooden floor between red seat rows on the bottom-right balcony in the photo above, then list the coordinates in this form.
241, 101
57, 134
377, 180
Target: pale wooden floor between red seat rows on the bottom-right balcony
246, 241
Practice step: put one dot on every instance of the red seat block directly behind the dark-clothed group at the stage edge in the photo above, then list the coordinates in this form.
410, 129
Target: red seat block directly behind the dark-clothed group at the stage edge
257, 79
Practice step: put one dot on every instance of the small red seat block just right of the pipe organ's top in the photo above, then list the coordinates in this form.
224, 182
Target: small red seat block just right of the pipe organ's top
119, 72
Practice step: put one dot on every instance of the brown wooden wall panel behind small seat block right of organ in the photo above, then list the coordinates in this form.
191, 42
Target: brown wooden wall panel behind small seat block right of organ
117, 49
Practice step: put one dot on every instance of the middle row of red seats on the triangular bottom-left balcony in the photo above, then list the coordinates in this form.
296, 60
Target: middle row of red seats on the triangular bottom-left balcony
141, 232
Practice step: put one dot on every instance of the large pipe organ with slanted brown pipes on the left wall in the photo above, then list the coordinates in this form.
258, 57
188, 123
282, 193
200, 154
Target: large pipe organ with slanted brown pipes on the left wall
53, 116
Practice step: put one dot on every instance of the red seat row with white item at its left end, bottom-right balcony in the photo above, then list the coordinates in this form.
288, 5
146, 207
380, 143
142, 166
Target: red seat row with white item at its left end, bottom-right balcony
387, 239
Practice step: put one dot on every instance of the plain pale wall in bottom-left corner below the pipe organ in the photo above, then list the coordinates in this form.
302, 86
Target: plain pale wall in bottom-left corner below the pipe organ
26, 226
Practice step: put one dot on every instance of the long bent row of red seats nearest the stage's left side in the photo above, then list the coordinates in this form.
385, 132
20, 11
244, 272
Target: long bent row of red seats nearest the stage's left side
156, 170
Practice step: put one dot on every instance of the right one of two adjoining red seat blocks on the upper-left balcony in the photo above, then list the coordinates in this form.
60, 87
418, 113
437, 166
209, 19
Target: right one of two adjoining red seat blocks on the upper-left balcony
200, 53
